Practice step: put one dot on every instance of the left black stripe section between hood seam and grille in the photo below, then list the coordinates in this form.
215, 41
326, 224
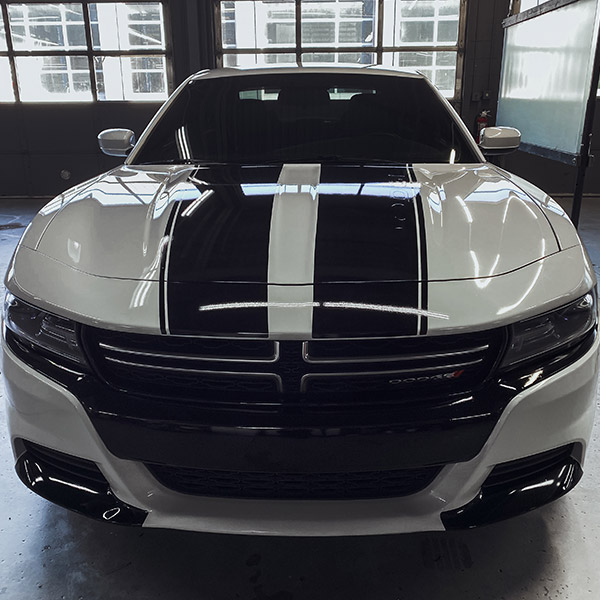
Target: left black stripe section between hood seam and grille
227, 315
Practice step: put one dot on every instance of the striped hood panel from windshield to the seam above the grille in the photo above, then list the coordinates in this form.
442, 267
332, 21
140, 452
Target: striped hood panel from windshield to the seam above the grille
303, 224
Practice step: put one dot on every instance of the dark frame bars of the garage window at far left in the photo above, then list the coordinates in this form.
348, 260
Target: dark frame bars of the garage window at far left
89, 53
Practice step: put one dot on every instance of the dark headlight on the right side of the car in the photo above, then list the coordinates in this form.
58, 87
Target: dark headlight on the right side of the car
551, 331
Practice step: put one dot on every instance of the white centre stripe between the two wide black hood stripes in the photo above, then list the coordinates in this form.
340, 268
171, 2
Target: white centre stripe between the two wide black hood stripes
292, 241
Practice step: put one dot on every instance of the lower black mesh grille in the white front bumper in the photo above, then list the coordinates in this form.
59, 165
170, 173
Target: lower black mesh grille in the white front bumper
294, 486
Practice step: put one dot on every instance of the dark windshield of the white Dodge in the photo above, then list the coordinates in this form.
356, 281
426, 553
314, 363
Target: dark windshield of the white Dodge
307, 117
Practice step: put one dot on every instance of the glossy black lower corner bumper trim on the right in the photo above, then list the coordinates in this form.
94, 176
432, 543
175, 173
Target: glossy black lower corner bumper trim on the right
519, 486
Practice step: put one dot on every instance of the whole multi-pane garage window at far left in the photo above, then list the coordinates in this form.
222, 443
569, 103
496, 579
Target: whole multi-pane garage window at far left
83, 51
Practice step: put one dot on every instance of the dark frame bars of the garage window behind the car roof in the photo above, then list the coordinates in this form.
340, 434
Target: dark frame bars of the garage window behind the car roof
378, 49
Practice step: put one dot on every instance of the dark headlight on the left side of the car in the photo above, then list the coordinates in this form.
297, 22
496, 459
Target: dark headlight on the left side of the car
49, 332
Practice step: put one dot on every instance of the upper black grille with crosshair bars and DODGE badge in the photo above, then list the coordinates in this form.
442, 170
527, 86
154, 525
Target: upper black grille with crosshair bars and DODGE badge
187, 367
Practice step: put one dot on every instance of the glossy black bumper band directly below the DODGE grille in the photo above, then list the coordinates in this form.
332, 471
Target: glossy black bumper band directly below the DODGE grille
298, 432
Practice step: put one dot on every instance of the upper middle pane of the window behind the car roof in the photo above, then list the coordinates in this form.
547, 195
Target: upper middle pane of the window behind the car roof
338, 22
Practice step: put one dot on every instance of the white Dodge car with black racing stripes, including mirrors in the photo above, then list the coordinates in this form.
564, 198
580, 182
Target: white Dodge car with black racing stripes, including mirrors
305, 305
